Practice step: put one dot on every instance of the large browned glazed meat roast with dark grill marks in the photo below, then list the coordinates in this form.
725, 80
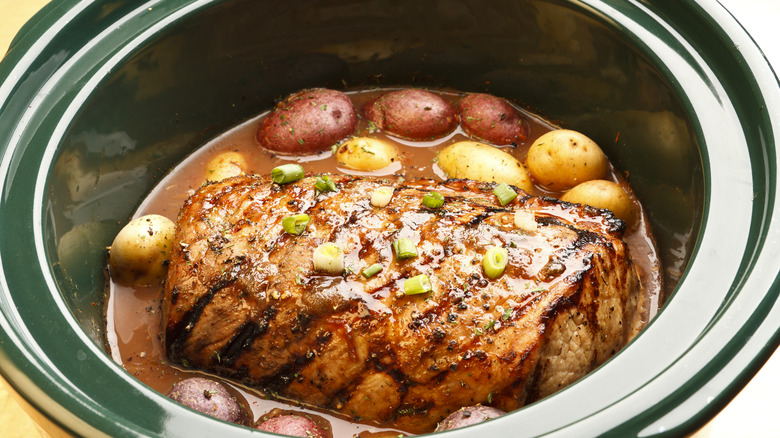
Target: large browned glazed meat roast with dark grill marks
242, 299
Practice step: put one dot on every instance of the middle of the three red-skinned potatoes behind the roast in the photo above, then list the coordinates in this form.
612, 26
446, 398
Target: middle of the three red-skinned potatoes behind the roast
412, 114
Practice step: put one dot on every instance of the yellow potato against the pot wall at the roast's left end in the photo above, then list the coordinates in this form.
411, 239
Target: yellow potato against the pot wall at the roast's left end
140, 251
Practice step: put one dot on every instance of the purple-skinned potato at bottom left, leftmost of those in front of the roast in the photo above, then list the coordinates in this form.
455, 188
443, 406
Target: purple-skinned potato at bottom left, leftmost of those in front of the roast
211, 398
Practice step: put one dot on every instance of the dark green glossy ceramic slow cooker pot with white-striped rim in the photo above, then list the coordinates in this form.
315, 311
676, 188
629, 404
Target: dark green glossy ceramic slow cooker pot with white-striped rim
100, 98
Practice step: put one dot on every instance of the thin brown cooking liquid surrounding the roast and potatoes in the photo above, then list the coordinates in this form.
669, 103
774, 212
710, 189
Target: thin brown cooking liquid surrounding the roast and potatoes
134, 316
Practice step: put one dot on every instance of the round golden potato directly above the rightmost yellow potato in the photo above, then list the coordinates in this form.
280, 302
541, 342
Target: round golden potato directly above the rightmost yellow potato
561, 159
